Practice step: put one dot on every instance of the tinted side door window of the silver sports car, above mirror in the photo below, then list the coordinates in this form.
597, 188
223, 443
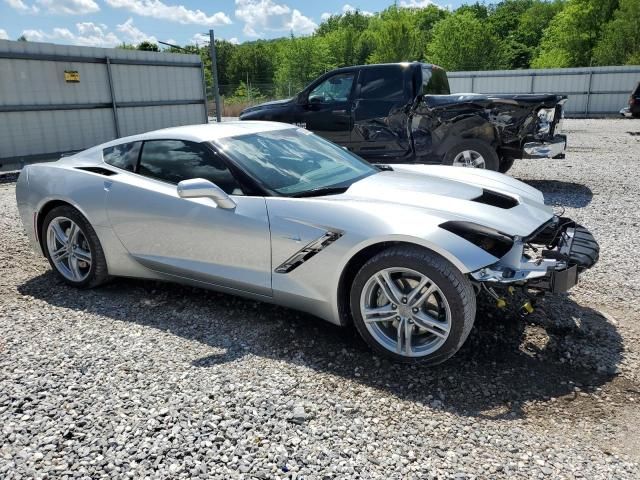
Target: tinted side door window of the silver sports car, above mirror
176, 160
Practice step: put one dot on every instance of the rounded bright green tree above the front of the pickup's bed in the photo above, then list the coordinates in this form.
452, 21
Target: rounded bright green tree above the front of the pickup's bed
463, 42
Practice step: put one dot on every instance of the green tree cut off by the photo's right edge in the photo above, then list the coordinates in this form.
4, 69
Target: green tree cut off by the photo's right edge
620, 42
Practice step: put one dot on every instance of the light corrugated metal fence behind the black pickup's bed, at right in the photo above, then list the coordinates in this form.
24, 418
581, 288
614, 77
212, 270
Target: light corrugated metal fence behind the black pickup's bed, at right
591, 91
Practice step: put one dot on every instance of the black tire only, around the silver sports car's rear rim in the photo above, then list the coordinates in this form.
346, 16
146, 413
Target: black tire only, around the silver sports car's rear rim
97, 272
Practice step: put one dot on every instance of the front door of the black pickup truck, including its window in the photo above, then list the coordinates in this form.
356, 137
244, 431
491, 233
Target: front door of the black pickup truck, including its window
327, 109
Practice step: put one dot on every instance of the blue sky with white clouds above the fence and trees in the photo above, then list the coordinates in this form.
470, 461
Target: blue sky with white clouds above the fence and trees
107, 23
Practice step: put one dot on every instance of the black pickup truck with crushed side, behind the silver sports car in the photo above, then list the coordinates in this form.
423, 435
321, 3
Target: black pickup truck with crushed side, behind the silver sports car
404, 112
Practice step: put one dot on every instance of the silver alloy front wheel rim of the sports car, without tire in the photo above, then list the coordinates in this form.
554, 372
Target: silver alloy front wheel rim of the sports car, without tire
405, 312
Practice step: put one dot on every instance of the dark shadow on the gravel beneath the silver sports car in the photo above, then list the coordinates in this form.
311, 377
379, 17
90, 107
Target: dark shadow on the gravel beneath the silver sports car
506, 361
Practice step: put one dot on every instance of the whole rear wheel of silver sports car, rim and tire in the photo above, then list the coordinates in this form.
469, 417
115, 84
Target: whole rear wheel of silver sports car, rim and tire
73, 249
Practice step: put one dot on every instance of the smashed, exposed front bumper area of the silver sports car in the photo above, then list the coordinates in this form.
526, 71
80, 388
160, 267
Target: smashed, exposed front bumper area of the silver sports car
548, 261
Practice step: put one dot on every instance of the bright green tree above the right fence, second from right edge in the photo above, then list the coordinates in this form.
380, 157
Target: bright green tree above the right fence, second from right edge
573, 33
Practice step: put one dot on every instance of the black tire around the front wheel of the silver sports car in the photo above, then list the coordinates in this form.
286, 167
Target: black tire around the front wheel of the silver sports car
456, 288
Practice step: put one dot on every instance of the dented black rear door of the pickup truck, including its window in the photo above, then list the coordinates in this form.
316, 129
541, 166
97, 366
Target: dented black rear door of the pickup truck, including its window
382, 96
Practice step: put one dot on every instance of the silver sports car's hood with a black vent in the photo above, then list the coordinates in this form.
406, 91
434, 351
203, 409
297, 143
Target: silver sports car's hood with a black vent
455, 193
